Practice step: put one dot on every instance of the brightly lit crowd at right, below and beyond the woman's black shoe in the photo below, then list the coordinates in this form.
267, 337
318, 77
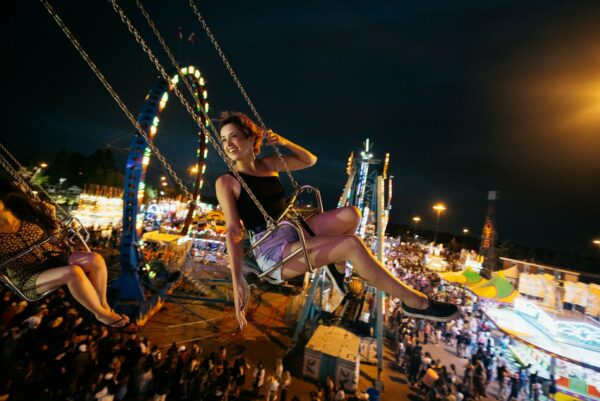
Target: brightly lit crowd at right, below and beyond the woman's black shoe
471, 335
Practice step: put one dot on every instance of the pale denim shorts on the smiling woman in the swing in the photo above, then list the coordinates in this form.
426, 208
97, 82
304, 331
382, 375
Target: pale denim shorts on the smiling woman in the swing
270, 252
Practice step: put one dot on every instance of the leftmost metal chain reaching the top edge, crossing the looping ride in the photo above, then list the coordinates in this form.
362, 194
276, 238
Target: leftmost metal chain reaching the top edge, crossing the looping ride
115, 96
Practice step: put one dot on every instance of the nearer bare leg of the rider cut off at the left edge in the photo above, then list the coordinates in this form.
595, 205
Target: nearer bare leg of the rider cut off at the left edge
80, 287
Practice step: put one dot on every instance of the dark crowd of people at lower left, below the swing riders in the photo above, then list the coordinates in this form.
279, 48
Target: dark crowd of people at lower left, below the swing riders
49, 350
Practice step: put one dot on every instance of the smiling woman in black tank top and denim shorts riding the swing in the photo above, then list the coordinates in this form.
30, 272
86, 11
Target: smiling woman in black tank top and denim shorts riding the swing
334, 240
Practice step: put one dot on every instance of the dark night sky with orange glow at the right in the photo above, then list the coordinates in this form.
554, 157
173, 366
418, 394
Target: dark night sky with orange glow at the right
467, 96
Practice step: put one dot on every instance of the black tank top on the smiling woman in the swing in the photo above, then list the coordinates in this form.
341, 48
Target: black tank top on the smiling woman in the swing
269, 192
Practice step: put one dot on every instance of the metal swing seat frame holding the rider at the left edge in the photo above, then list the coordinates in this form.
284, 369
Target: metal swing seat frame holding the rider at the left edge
70, 237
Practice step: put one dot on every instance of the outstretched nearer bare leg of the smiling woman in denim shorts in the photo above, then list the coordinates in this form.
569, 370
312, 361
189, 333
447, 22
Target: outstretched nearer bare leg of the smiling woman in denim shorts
327, 249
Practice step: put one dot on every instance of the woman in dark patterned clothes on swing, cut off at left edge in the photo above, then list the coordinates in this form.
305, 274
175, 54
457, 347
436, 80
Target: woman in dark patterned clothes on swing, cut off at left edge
25, 222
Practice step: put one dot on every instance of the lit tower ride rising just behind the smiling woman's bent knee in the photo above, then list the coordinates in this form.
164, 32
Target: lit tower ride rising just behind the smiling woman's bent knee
361, 189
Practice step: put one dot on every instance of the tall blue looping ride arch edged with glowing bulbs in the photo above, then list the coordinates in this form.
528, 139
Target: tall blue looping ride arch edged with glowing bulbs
128, 283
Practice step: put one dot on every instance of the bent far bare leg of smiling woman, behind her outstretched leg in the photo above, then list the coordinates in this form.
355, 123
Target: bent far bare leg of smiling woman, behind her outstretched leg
344, 220
